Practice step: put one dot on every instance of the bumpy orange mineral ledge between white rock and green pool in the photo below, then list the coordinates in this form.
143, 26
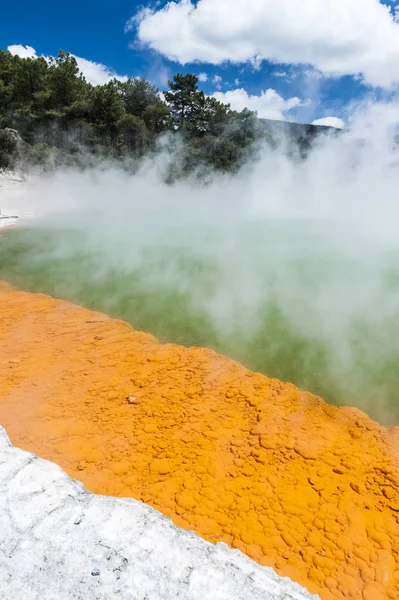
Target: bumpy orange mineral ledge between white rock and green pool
298, 485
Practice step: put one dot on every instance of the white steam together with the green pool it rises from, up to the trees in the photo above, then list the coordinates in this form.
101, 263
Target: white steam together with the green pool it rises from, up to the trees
290, 267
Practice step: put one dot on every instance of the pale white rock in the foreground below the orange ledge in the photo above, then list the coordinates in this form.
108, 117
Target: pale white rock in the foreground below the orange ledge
58, 541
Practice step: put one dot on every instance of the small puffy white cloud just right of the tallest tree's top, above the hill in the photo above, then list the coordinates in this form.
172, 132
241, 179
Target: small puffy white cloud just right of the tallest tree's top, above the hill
269, 104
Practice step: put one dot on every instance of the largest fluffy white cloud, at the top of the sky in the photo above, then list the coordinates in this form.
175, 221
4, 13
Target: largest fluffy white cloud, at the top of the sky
336, 37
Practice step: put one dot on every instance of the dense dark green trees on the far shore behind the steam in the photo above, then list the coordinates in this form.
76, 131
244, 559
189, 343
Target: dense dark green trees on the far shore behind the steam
60, 118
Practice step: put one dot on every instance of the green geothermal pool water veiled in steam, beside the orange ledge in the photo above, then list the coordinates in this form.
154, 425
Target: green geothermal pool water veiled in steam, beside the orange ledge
302, 301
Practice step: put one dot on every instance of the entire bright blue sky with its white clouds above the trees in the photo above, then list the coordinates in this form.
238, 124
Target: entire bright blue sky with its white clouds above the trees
305, 61
